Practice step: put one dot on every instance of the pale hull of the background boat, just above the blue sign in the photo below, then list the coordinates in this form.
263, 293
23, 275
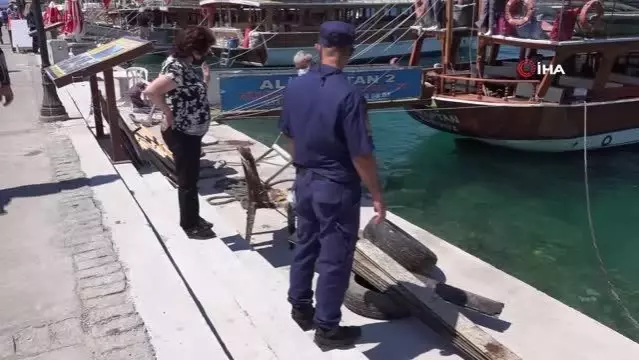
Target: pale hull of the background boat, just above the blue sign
284, 56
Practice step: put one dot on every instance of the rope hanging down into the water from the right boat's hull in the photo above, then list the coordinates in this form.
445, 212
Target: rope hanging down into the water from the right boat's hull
613, 289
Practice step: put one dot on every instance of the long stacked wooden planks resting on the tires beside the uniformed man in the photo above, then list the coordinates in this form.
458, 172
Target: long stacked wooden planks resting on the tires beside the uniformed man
387, 275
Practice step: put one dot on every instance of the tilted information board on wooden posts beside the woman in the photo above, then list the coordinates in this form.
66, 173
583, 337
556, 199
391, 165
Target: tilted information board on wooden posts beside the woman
97, 60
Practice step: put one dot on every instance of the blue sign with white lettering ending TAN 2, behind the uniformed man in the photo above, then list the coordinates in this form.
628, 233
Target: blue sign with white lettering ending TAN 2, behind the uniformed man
259, 91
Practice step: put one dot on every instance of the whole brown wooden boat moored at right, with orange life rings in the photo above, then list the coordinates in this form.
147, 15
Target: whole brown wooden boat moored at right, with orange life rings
587, 83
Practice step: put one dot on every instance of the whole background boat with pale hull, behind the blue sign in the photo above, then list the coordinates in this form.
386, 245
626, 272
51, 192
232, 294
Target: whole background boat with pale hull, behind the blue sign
284, 28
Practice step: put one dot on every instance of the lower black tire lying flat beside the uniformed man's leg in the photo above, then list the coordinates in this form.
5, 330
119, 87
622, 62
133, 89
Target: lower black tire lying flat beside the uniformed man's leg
363, 299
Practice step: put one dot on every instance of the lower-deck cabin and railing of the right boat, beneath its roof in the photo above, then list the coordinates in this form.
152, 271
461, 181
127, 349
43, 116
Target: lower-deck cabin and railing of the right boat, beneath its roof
578, 71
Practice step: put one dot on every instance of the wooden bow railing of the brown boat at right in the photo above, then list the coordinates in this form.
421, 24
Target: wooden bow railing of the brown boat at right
465, 84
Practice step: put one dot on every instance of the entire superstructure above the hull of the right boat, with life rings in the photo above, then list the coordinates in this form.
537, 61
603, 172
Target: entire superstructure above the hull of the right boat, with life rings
566, 59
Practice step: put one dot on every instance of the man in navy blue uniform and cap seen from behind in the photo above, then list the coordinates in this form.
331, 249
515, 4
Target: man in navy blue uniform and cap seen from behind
325, 117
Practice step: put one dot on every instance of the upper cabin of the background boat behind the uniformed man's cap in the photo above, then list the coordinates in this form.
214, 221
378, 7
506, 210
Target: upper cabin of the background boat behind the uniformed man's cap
284, 24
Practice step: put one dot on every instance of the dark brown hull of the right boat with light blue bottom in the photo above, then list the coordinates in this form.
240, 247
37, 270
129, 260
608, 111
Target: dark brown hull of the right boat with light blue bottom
535, 127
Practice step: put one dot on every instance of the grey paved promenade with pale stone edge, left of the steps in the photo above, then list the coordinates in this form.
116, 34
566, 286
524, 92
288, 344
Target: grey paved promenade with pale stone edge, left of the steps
73, 285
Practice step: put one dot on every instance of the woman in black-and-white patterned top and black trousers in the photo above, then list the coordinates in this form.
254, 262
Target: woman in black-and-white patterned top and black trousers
181, 94
